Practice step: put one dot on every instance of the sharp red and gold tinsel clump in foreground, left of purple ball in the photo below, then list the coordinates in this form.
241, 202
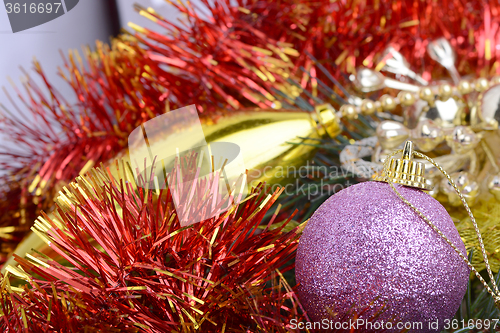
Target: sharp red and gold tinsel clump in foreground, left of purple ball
131, 267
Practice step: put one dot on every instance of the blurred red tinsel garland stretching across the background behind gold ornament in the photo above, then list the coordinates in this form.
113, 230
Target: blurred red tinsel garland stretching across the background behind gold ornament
233, 59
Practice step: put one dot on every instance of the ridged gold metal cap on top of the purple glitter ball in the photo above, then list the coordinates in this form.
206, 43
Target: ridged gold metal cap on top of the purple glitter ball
406, 171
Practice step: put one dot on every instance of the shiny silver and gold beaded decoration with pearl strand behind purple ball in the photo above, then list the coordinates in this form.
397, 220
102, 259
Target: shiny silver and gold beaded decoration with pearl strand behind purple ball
460, 113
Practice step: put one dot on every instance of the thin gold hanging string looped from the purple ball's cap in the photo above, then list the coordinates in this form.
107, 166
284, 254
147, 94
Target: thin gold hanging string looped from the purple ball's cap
495, 294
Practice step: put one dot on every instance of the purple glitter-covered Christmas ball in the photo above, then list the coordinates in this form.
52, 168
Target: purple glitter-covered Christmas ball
365, 251
